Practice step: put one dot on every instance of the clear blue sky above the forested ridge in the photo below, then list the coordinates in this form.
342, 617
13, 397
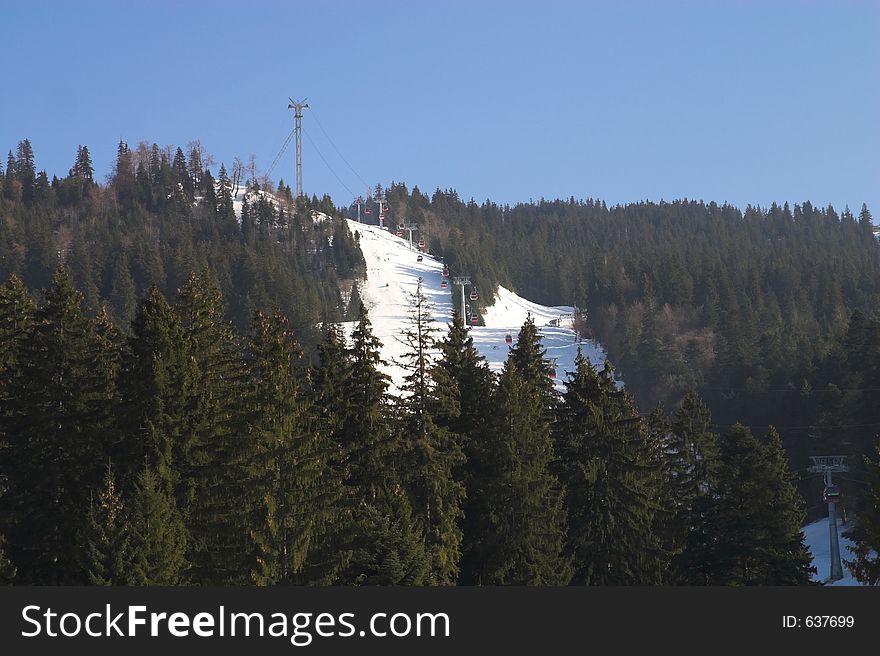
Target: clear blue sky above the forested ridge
746, 102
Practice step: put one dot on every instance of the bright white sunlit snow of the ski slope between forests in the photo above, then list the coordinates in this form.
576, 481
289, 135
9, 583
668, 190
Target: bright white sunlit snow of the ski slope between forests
392, 275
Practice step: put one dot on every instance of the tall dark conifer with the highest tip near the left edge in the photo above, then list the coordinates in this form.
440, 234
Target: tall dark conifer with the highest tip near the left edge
60, 428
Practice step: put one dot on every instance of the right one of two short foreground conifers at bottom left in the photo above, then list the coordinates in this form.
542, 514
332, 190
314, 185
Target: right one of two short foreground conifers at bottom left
158, 534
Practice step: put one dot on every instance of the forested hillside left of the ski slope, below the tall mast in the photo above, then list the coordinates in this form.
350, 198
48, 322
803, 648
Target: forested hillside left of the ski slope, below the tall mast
162, 215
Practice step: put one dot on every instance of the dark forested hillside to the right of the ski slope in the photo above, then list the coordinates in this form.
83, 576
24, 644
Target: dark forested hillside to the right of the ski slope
769, 313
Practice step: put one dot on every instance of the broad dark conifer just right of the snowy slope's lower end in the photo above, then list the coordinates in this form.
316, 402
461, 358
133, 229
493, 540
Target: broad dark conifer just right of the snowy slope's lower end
607, 465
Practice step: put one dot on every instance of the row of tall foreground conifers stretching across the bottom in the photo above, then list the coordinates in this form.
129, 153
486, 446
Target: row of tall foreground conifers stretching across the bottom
181, 451
